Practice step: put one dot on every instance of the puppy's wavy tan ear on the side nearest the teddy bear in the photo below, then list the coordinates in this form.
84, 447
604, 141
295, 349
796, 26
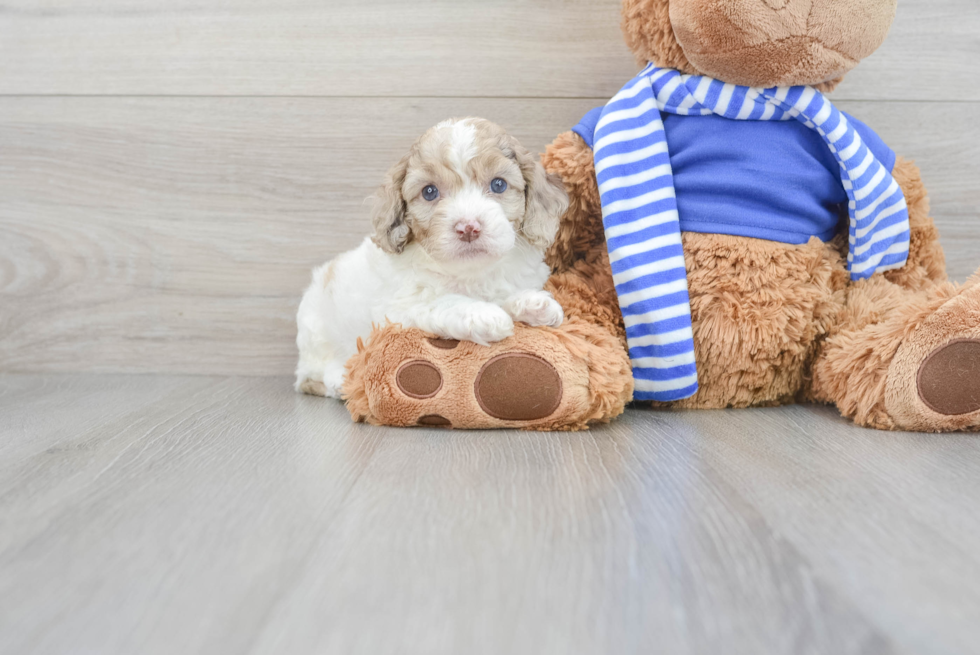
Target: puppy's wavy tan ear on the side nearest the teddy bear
545, 200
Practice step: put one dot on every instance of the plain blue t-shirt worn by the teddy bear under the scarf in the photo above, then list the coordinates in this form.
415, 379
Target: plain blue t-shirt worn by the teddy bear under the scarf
774, 180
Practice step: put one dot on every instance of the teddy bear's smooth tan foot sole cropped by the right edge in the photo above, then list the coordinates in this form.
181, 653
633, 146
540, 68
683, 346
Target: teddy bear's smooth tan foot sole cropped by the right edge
934, 379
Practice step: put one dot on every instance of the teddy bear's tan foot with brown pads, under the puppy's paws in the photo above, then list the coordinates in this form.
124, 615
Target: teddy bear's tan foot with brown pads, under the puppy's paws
406, 377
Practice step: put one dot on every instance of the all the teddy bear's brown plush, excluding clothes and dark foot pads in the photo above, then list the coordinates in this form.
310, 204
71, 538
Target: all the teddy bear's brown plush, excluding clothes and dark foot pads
773, 323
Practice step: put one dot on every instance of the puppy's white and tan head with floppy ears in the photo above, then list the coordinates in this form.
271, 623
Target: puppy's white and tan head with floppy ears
468, 193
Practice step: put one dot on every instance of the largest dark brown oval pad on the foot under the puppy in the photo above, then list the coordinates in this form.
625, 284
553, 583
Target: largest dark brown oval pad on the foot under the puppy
518, 387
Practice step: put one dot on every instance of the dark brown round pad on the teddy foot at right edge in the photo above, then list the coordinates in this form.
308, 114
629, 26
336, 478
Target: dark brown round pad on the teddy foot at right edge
949, 378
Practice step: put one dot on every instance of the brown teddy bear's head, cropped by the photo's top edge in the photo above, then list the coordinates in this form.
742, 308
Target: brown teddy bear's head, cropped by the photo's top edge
758, 42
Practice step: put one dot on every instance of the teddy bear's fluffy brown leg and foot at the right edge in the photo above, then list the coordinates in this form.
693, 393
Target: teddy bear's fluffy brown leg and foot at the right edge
905, 361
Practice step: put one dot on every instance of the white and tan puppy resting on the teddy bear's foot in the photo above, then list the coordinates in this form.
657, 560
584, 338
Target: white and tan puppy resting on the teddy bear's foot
461, 225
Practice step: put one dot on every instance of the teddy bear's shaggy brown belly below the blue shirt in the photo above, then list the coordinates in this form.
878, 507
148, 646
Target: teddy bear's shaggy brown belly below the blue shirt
758, 308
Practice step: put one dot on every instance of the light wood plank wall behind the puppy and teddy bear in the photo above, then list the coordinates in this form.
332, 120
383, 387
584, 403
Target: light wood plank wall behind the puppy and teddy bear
170, 171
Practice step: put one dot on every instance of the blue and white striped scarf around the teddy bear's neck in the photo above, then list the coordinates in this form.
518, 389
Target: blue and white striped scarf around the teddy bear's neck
639, 208
